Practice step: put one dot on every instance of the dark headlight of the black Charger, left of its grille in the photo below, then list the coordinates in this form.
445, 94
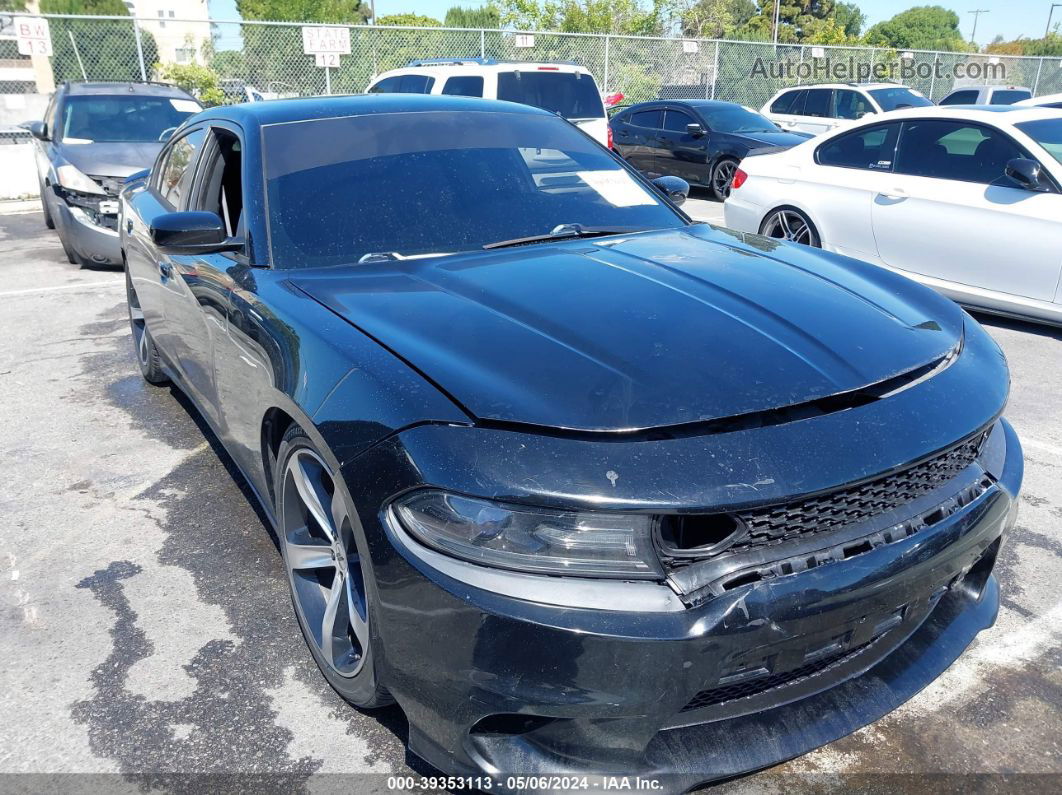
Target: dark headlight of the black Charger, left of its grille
539, 541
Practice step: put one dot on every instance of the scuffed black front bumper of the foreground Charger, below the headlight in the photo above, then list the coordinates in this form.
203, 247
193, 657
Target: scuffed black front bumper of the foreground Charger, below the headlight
501, 685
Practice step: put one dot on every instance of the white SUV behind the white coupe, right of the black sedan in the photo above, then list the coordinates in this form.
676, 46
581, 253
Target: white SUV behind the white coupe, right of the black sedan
820, 109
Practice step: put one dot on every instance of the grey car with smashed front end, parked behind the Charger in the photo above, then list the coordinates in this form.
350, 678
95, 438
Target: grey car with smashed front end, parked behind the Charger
94, 135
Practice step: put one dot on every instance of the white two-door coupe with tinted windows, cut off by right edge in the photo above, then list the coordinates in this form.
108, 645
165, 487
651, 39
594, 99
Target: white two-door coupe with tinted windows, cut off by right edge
966, 200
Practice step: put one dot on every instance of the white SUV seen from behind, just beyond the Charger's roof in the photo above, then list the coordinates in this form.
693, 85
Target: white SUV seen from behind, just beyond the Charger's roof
566, 90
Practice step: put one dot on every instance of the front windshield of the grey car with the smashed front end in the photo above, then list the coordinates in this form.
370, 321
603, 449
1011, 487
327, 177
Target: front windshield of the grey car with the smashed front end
123, 118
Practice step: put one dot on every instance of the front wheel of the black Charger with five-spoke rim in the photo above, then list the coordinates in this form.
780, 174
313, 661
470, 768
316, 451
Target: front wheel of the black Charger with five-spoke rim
329, 575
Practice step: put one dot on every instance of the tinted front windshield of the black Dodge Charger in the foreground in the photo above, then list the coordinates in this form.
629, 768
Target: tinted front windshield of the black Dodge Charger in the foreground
420, 184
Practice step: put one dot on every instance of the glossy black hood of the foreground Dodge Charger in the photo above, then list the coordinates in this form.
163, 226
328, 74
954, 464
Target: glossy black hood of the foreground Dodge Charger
650, 331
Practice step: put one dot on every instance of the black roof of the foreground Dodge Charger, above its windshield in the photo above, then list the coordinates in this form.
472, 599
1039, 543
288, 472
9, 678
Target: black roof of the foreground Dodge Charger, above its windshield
252, 115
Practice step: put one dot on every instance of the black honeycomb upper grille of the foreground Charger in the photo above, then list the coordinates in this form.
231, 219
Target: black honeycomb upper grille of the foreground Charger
778, 524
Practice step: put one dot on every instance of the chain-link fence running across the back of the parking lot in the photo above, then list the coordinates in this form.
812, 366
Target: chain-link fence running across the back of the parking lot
268, 59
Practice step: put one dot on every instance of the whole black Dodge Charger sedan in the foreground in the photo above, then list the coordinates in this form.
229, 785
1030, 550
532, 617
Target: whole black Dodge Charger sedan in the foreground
585, 487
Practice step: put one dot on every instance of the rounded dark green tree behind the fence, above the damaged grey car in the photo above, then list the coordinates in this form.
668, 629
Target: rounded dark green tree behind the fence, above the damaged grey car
108, 48
